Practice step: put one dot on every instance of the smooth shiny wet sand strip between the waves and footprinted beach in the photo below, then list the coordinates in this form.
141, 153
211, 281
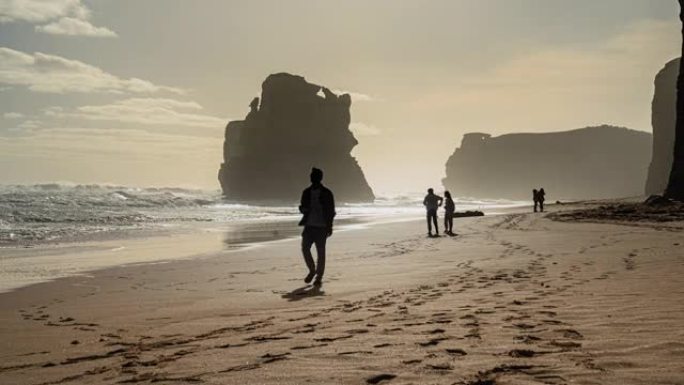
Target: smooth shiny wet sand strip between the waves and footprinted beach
25, 265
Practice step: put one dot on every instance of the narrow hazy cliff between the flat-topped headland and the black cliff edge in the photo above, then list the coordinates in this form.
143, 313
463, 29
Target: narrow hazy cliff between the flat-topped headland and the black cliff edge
663, 114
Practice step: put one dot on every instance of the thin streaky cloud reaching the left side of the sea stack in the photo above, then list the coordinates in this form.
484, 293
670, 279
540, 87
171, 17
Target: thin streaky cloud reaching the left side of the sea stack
145, 111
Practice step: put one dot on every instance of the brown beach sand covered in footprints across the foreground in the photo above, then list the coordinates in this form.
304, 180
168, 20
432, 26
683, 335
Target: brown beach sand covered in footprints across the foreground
514, 299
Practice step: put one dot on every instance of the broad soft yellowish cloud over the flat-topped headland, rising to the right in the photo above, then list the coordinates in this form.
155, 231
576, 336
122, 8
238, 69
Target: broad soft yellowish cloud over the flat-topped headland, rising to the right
561, 87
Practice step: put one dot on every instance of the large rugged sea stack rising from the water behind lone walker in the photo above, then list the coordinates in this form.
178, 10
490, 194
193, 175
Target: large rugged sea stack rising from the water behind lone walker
297, 125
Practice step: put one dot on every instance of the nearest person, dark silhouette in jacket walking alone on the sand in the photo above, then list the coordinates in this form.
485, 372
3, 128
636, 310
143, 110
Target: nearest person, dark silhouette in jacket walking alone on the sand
318, 208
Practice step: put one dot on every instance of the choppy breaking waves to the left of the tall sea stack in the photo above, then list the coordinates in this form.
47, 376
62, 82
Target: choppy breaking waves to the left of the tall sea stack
51, 211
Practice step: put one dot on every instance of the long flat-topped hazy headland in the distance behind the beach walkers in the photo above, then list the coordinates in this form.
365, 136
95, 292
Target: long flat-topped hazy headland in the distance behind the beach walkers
592, 162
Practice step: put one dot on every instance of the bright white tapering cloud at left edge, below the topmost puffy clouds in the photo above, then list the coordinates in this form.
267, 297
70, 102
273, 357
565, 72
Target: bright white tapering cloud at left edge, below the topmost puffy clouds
54, 74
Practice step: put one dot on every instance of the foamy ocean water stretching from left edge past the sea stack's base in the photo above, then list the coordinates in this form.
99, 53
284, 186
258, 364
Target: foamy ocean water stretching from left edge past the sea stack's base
52, 213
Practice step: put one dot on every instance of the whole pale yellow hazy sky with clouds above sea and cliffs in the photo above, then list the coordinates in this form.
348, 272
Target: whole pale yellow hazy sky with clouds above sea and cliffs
138, 92
